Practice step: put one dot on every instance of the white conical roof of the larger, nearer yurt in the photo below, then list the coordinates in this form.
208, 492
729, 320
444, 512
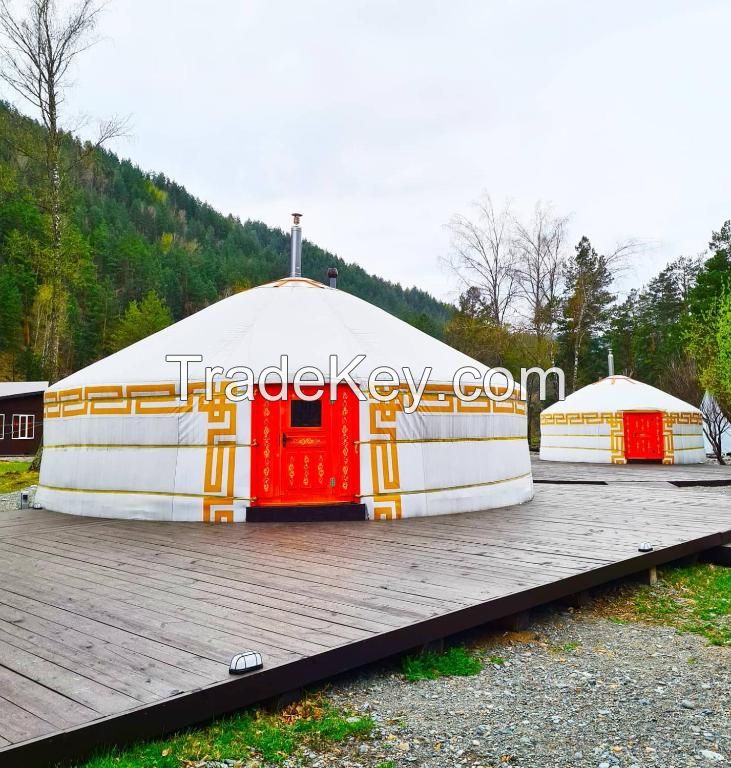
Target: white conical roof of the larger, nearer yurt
297, 317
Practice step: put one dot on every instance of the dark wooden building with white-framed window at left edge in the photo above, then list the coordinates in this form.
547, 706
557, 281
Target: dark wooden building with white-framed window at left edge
21, 417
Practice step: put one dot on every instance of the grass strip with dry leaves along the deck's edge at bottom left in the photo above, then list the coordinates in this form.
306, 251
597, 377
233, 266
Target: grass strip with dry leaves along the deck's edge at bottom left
246, 735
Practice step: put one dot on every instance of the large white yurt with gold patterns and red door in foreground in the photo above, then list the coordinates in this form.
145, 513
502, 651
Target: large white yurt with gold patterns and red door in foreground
120, 440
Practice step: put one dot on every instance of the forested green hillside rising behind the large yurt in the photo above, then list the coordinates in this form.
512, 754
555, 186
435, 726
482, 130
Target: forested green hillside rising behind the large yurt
139, 251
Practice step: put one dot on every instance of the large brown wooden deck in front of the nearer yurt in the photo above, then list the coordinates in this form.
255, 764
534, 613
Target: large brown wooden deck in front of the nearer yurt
118, 630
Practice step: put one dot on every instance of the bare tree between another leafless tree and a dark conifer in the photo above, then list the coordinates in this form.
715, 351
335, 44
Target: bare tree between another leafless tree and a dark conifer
539, 245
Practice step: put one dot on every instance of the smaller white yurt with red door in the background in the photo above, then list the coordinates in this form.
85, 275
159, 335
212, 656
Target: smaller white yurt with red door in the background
618, 420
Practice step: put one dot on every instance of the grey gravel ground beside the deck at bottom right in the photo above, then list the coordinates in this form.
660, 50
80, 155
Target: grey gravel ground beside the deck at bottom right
574, 691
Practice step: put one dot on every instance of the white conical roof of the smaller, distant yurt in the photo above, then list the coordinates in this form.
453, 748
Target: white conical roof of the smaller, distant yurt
620, 393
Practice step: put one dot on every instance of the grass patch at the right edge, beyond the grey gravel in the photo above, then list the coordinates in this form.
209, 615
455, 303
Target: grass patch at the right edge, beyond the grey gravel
695, 598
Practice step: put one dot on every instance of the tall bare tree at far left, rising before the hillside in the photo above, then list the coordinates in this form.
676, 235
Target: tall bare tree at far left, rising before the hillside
36, 52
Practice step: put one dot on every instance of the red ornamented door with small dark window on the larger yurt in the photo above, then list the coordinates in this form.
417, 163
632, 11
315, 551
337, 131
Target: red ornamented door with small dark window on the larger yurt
305, 452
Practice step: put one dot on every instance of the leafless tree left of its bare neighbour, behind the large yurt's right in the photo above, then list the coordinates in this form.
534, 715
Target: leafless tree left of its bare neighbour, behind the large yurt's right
483, 257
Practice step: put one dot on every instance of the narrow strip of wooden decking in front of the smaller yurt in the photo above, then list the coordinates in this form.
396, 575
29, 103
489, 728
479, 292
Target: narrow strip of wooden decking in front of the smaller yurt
678, 474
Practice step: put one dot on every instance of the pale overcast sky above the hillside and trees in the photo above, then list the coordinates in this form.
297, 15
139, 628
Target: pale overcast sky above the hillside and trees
380, 120
